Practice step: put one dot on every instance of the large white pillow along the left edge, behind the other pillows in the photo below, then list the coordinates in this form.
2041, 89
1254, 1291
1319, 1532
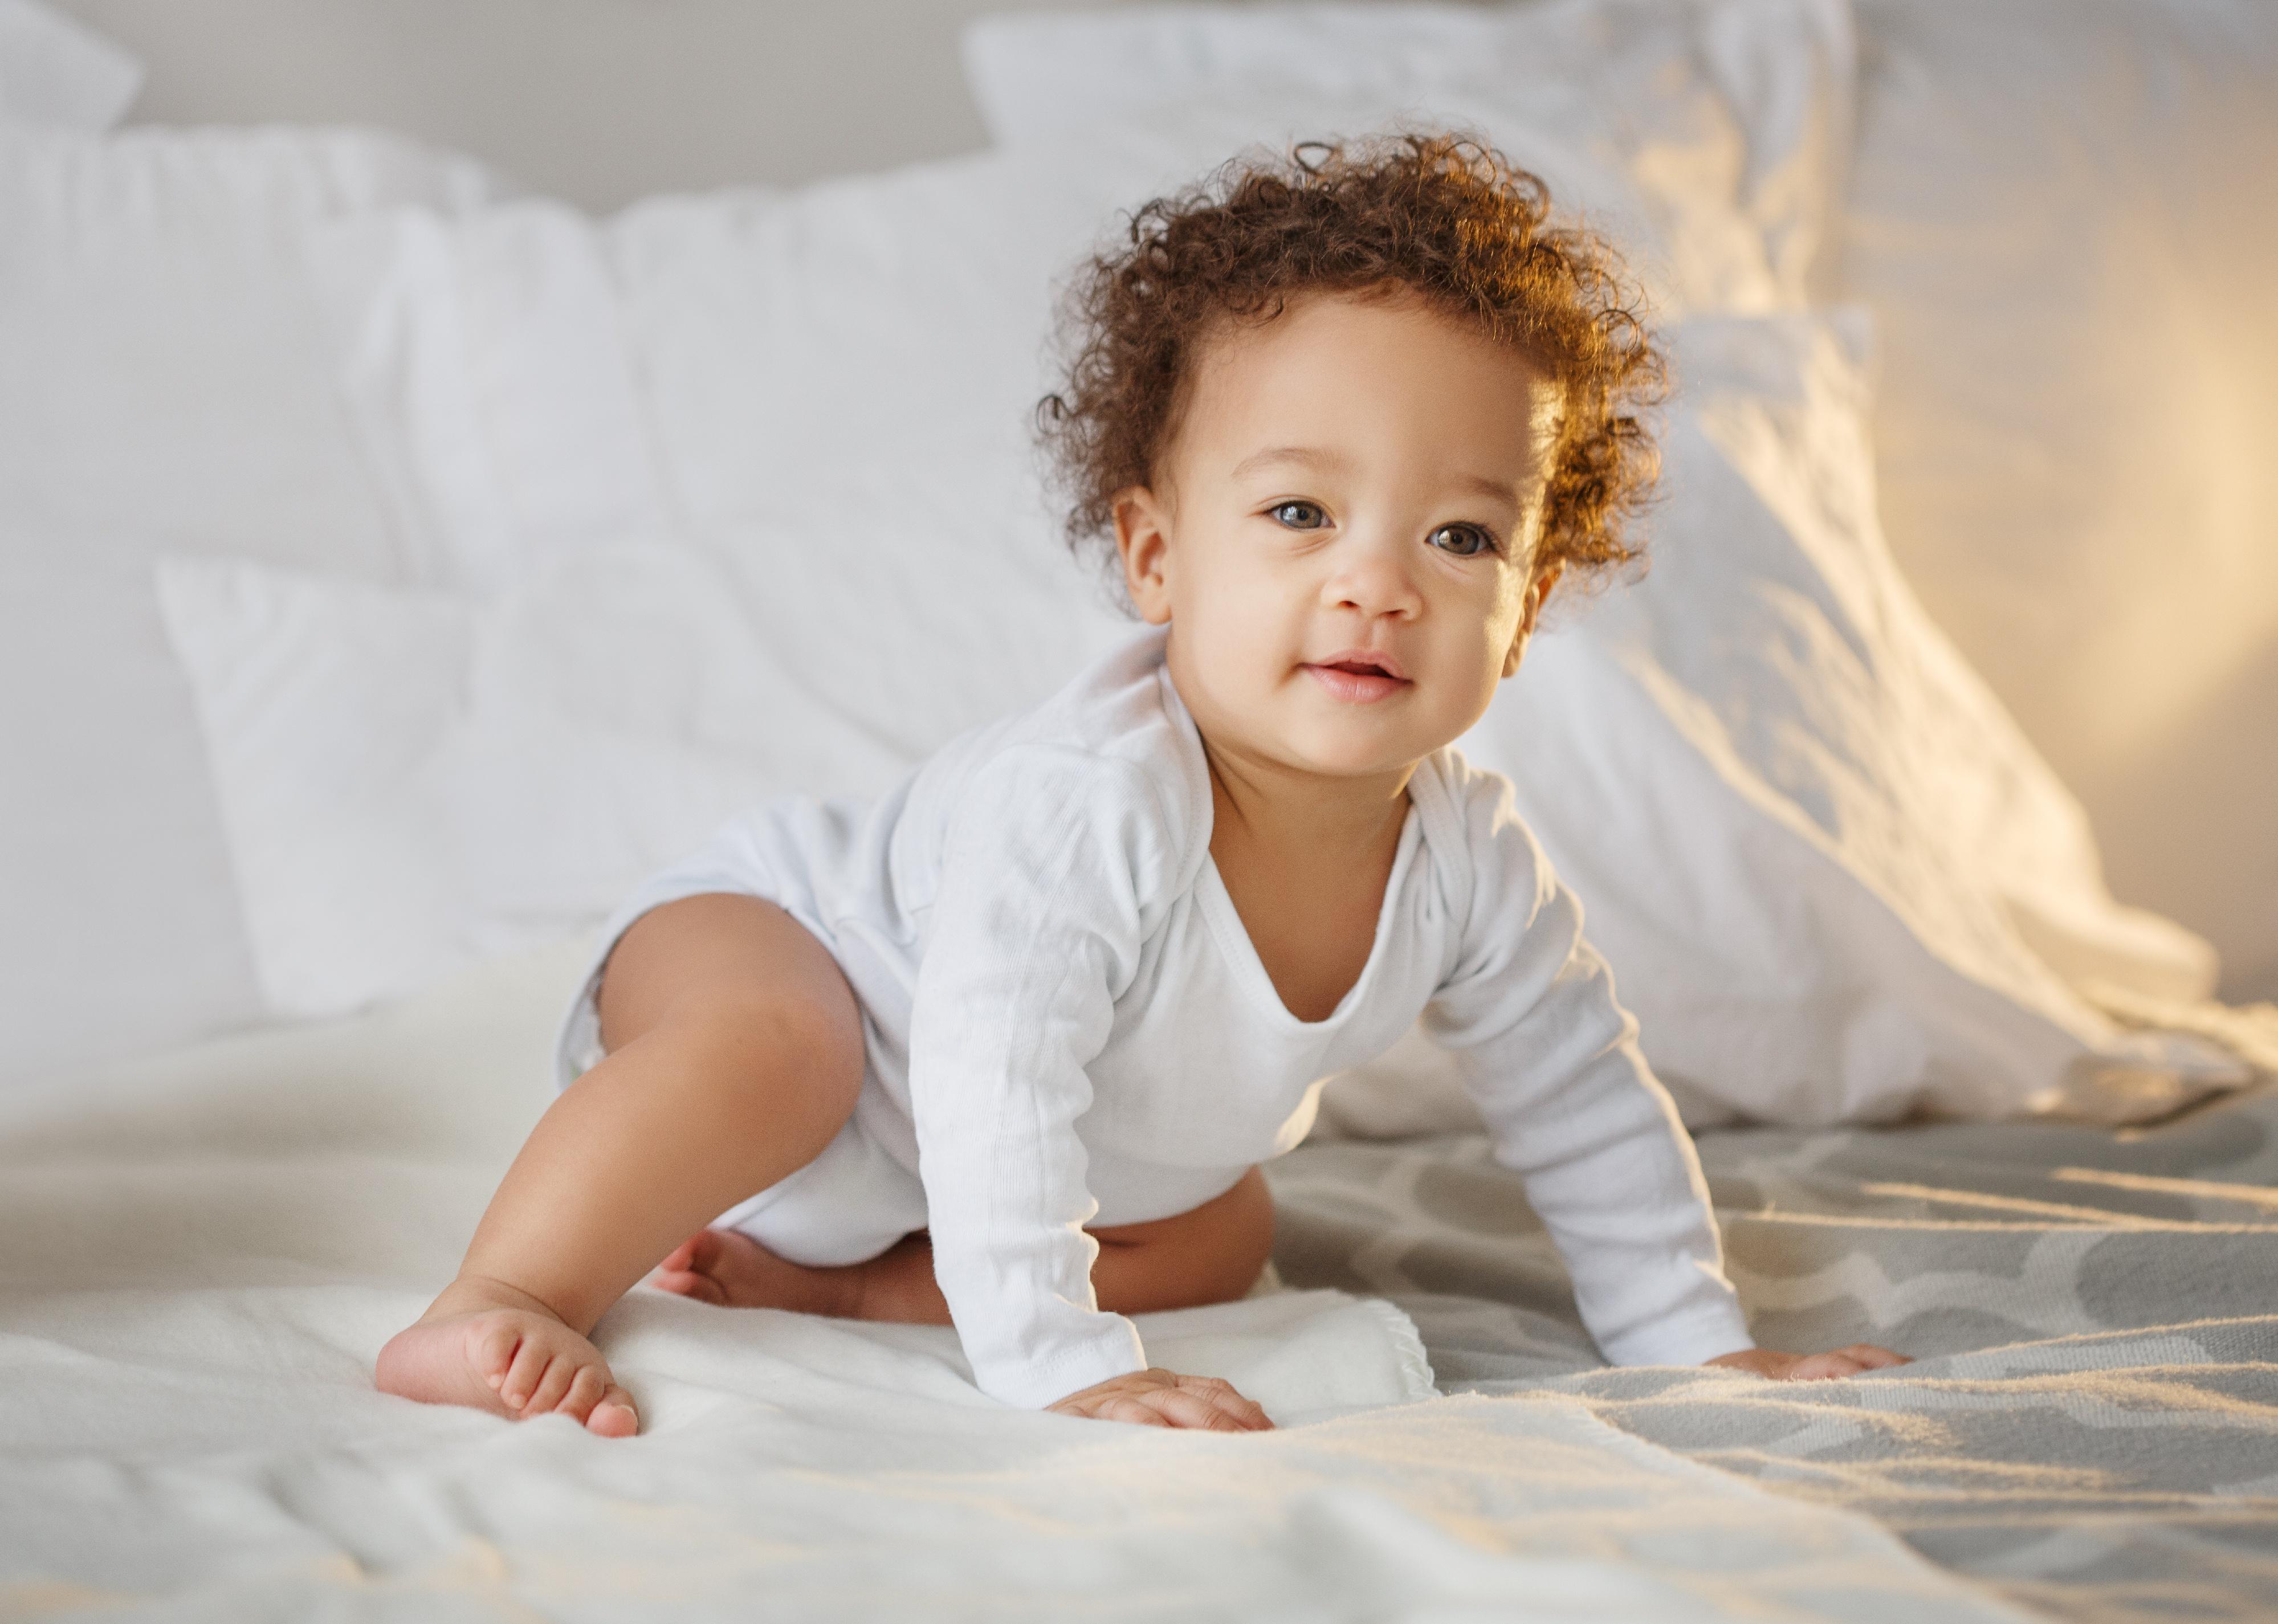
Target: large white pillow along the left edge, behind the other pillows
165, 384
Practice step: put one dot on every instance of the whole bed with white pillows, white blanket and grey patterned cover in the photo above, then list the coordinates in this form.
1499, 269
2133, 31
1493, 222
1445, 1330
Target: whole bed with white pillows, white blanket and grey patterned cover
398, 566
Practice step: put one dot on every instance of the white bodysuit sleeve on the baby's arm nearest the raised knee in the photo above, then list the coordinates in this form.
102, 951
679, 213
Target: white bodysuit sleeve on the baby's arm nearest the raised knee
1035, 928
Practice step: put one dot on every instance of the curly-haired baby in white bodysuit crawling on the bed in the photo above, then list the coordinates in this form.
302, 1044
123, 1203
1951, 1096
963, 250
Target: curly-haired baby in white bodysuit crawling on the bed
1008, 1049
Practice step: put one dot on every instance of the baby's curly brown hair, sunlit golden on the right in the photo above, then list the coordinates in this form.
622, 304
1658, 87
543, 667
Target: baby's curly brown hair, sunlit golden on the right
1441, 215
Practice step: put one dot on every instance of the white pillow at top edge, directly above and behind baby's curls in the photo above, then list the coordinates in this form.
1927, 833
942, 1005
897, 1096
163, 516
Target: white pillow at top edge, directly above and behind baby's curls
1723, 115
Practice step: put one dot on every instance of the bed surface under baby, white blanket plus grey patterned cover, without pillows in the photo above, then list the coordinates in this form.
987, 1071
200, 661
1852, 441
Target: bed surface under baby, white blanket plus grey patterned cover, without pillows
202, 1254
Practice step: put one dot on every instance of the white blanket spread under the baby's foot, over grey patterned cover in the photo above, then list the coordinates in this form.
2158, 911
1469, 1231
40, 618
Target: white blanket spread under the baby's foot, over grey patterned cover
199, 1258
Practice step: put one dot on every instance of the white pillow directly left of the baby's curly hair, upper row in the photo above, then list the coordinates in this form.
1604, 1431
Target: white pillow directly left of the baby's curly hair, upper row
534, 379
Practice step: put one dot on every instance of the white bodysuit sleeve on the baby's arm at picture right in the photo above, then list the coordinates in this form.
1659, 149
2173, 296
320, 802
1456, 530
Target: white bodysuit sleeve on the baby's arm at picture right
1555, 1065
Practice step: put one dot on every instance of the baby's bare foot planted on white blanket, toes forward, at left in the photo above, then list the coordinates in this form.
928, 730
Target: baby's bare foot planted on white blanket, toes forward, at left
507, 1354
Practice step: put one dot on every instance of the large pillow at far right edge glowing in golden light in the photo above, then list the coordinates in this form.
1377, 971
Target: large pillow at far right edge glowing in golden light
2065, 215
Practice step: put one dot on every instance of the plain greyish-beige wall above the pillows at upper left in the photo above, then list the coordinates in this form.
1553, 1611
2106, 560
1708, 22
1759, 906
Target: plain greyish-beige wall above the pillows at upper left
593, 101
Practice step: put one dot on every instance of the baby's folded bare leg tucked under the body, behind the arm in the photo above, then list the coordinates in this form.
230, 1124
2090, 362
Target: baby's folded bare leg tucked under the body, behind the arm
1206, 1256
